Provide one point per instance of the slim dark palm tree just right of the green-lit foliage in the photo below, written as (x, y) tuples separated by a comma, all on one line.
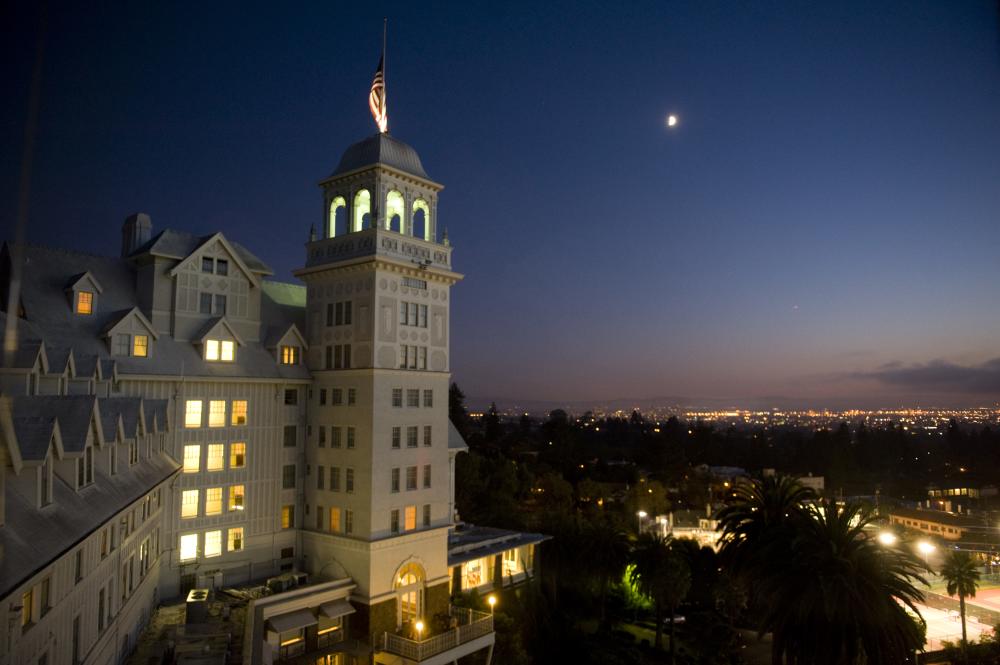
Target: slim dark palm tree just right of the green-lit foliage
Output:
[(661, 572)]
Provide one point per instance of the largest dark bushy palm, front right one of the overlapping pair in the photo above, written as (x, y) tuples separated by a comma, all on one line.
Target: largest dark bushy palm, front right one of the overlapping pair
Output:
[(842, 597)]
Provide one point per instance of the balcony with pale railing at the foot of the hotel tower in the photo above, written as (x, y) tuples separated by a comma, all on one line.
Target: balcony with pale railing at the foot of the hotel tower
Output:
[(473, 632)]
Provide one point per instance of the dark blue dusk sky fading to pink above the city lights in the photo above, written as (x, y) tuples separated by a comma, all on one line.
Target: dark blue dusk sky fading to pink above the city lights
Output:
[(823, 225)]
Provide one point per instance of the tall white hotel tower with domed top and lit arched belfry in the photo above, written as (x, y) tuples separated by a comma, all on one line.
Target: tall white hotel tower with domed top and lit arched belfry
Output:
[(379, 501)]
